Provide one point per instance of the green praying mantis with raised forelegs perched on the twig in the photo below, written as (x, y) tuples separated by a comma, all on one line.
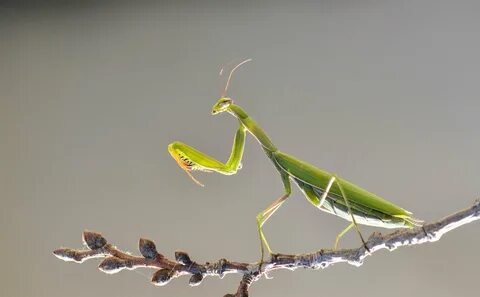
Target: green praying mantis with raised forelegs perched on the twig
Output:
[(326, 191)]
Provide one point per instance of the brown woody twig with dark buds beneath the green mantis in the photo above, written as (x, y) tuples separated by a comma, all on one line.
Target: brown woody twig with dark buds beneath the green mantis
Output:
[(166, 269)]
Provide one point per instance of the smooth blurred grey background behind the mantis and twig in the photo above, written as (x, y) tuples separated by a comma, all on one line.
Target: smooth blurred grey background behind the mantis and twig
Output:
[(384, 93)]
